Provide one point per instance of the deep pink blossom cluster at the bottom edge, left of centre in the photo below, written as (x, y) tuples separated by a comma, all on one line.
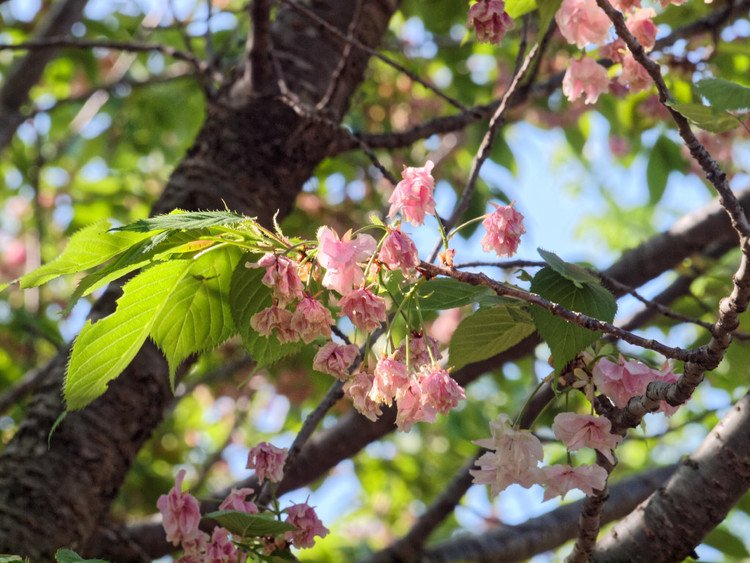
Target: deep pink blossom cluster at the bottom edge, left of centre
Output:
[(181, 517)]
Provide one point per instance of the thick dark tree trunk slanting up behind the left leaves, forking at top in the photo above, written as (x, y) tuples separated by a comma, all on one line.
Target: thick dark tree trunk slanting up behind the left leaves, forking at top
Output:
[(253, 153)]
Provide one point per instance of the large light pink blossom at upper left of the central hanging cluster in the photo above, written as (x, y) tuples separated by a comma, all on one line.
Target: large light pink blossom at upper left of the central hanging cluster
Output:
[(340, 258)]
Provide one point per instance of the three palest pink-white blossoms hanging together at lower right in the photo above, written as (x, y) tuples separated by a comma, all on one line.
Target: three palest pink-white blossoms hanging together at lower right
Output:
[(515, 455)]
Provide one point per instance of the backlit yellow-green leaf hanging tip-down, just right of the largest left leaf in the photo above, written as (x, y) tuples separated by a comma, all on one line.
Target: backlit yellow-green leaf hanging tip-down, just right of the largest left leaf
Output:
[(197, 317)]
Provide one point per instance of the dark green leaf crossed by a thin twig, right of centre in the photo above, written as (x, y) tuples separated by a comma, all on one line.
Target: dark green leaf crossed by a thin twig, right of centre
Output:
[(565, 339)]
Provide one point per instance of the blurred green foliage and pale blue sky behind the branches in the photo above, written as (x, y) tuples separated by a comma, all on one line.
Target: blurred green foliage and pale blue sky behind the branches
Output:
[(105, 128)]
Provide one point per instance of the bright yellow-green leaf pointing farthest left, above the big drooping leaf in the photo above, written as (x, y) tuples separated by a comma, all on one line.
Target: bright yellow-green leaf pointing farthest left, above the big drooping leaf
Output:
[(87, 248)]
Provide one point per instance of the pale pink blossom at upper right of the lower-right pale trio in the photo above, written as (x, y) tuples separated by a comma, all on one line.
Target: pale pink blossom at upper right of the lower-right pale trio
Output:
[(578, 431)]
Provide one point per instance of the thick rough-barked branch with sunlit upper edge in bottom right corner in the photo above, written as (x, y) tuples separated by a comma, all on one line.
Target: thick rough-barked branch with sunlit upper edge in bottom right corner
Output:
[(673, 521)]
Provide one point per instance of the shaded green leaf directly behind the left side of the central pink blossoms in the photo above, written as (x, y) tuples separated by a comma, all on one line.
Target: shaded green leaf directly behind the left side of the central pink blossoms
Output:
[(247, 296)]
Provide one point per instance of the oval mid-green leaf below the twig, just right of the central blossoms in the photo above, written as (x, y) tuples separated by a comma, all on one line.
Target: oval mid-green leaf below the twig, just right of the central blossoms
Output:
[(487, 333)]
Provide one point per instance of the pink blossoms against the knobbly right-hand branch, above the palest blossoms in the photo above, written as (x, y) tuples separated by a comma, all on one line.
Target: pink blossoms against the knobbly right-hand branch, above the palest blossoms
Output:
[(626, 379)]
